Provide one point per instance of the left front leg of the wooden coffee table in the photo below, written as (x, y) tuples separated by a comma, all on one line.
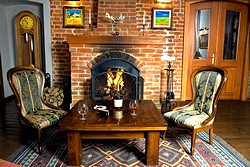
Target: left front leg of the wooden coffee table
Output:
[(74, 148)]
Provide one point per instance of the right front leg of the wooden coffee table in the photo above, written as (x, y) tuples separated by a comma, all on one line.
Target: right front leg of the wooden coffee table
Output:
[(152, 148)]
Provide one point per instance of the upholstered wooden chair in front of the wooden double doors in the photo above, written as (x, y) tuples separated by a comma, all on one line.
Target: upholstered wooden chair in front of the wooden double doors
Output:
[(199, 114)]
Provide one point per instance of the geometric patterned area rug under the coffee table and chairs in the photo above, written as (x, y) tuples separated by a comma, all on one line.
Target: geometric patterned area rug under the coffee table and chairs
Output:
[(119, 153)]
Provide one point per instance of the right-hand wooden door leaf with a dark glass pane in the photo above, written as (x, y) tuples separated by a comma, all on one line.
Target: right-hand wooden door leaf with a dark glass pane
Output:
[(230, 55)]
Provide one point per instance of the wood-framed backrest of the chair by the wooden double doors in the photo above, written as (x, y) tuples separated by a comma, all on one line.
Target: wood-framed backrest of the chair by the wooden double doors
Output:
[(207, 85)]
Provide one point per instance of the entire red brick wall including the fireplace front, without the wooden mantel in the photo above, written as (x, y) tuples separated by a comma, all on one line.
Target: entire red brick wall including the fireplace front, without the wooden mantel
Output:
[(65, 63)]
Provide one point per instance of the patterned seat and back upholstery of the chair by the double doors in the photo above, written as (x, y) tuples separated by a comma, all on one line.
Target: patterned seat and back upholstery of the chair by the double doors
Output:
[(206, 85)]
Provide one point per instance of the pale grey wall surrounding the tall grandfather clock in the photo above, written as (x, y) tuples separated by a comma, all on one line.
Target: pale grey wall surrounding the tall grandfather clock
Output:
[(8, 11)]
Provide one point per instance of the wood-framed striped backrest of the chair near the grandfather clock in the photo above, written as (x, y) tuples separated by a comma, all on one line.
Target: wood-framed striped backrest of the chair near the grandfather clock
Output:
[(27, 84)]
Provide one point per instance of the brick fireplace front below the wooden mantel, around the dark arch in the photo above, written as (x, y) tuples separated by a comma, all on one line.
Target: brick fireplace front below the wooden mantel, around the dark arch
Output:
[(147, 56)]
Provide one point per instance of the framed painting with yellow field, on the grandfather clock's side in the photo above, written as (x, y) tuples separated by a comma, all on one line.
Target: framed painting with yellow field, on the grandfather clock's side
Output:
[(73, 17)]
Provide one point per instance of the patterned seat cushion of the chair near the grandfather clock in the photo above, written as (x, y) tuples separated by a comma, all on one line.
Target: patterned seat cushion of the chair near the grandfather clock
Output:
[(44, 118)]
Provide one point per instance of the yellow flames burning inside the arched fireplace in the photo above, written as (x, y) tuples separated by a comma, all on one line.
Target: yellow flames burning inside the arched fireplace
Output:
[(115, 82)]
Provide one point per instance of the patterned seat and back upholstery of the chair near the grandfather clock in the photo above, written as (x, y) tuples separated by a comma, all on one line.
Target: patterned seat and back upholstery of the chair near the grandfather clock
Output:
[(28, 84)]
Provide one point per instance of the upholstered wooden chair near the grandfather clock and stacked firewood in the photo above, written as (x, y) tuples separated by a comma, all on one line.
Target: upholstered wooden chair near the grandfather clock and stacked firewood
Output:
[(27, 83)]
